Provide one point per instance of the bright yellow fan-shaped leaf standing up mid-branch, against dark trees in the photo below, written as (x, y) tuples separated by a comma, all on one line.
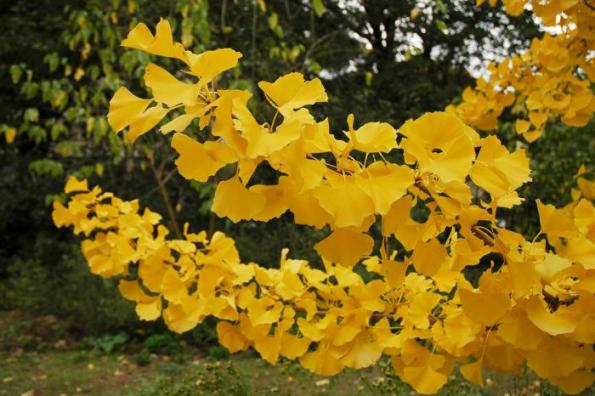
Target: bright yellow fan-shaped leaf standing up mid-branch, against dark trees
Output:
[(291, 92)]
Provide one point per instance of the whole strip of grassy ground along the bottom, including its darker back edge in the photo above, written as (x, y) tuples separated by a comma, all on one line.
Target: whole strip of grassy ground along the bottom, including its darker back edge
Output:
[(60, 367)]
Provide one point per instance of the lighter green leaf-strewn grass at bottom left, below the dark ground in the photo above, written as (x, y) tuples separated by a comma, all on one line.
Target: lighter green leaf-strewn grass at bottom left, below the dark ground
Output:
[(56, 372)]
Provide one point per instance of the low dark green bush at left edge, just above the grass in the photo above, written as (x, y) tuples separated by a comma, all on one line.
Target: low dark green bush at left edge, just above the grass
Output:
[(88, 304)]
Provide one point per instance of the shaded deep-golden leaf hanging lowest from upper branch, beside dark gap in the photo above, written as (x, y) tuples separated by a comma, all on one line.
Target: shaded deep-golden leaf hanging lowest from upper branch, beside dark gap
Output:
[(345, 246)]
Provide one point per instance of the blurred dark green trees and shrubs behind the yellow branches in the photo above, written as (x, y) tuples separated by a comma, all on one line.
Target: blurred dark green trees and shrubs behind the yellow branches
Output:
[(60, 63)]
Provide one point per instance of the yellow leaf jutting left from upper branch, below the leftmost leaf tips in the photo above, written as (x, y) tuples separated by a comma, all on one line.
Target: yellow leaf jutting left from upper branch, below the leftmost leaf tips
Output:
[(199, 161)]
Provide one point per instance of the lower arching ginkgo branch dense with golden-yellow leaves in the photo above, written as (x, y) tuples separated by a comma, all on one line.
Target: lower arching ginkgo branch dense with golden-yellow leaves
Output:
[(538, 302)]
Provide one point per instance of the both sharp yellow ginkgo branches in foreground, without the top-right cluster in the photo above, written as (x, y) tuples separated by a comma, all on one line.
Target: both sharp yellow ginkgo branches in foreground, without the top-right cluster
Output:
[(389, 283)]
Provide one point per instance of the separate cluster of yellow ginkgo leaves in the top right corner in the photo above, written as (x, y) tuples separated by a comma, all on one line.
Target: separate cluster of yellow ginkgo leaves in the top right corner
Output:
[(551, 79)]
